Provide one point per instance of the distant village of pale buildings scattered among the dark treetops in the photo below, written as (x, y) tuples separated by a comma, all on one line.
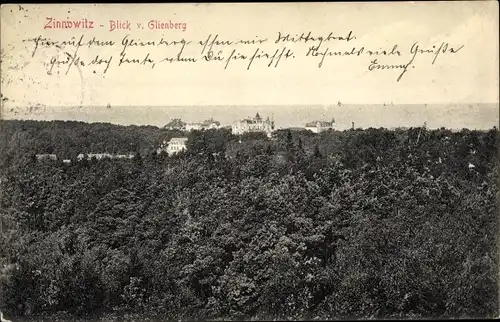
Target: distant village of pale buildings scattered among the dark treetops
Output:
[(175, 145)]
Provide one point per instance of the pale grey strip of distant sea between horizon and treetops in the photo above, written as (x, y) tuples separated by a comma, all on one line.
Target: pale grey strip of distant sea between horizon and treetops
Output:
[(479, 116)]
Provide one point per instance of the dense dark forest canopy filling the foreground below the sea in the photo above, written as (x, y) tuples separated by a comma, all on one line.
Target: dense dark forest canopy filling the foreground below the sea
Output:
[(359, 223)]
